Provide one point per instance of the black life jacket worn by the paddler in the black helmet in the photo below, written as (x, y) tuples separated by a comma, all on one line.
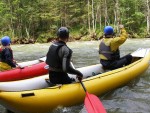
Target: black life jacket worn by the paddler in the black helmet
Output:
[(53, 59)]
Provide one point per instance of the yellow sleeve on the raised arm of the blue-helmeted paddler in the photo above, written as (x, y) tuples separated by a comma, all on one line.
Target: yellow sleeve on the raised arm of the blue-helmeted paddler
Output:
[(117, 41)]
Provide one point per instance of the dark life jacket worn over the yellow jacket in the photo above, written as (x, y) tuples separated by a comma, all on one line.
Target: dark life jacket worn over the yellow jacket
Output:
[(106, 51)]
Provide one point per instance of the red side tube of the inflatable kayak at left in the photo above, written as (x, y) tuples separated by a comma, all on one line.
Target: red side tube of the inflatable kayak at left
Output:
[(24, 73)]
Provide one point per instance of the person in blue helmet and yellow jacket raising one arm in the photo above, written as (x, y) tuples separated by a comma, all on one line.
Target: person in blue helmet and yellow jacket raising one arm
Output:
[(109, 49)]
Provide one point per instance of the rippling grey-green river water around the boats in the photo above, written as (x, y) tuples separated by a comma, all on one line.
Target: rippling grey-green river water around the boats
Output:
[(132, 98)]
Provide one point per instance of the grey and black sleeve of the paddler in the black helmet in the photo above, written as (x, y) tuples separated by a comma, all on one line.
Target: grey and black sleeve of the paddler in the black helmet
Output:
[(66, 59)]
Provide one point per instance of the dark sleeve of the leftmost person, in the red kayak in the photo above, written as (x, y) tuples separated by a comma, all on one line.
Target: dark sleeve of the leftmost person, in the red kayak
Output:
[(8, 58)]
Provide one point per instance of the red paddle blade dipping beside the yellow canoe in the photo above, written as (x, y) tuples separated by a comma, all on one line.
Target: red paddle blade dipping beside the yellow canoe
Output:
[(93, 104)]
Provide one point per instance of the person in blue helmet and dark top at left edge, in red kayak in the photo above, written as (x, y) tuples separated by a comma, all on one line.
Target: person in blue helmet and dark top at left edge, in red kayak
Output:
[(6, 62)]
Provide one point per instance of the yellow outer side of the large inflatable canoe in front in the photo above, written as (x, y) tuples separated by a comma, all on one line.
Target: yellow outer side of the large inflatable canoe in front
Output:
[(47, 99)]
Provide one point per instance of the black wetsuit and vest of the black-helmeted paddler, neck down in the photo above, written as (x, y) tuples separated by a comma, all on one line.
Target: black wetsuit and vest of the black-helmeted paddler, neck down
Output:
[(58, 59)]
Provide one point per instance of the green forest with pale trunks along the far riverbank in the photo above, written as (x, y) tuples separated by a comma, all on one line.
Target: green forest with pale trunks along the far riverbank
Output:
[(38, 20)]
